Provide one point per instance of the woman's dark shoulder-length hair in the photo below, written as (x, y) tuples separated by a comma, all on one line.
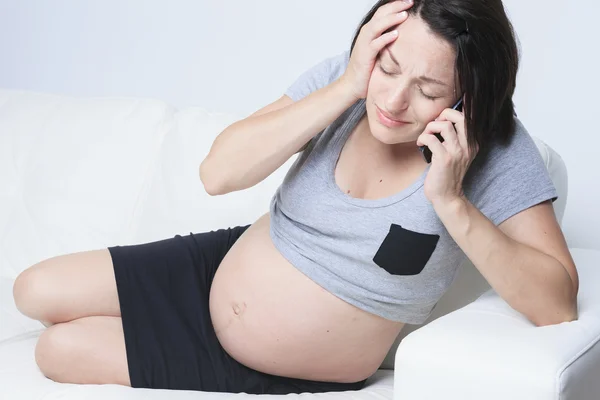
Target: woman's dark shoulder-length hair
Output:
[(487, 60)]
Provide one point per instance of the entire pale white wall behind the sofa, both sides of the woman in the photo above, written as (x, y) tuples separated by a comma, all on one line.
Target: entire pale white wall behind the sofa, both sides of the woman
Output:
[(237, 56)]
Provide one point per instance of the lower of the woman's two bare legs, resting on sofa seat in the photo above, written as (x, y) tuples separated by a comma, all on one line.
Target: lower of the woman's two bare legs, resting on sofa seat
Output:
[(89, 350)]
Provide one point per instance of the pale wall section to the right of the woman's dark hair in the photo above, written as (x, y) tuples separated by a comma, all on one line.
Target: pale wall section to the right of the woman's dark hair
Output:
[(557, 99)]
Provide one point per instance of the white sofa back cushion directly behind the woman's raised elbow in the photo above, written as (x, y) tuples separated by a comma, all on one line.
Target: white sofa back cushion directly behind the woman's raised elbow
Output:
[(175, 201)]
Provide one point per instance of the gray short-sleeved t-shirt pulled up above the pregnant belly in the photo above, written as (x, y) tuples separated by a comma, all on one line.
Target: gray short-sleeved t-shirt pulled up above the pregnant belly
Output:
[(391, 256)]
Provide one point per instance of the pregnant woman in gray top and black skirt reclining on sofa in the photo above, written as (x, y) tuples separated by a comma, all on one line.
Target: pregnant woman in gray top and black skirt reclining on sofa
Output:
[(363, 236)]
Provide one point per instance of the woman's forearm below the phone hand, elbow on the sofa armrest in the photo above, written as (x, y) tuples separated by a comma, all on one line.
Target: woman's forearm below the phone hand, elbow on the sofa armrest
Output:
[(532, 282)]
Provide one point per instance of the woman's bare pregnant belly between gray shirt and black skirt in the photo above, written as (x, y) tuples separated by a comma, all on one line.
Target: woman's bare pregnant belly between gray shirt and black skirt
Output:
[(271, 317)]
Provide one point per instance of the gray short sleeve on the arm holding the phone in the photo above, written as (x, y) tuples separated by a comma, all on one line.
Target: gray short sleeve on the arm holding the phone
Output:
[(512, 179)]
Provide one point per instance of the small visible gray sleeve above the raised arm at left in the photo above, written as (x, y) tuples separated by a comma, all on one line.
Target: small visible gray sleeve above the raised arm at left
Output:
[(319, 76)]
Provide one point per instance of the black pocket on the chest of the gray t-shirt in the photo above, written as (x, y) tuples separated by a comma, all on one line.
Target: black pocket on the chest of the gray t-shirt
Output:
[(405, 252)]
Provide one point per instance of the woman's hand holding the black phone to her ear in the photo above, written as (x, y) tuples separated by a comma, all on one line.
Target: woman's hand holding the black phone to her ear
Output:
[(450, 159)]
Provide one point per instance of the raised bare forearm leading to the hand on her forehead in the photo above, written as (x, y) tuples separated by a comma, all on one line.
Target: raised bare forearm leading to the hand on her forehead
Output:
[(250, 150)]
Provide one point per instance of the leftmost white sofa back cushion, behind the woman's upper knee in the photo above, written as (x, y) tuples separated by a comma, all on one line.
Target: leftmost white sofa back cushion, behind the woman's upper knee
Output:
[(71, 171)]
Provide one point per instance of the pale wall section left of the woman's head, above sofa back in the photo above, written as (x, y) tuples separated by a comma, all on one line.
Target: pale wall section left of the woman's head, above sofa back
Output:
[(233, 55)]
